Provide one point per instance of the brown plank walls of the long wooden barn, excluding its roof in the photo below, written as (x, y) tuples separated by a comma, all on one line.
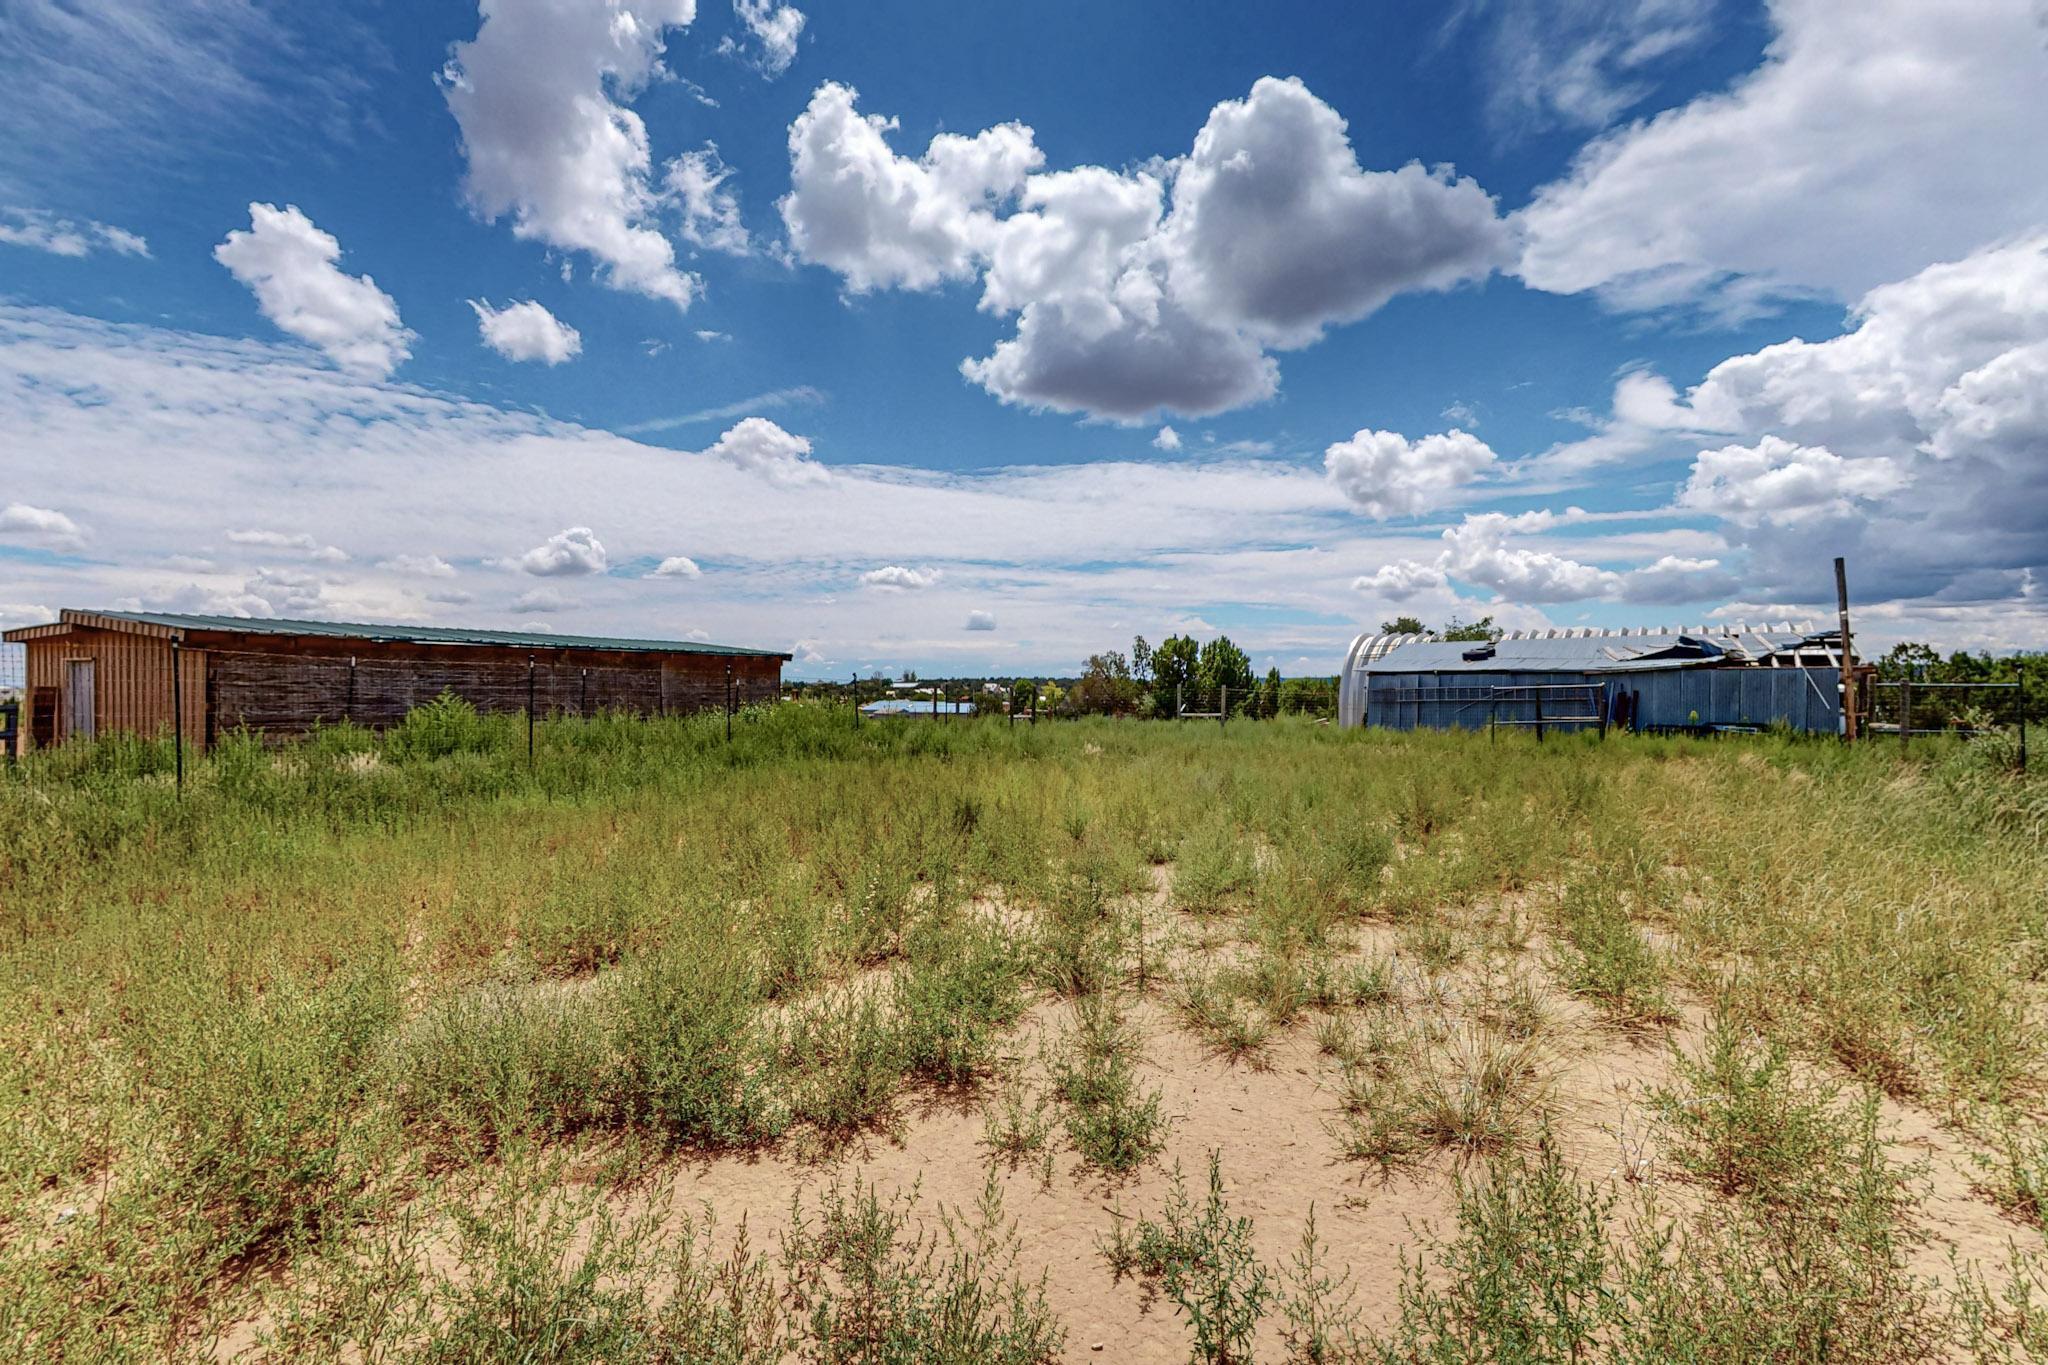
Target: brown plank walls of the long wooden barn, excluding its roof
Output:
[(284, 685)]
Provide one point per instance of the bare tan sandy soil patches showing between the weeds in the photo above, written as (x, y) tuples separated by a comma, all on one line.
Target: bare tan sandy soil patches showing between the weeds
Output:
[(1275, 1120)]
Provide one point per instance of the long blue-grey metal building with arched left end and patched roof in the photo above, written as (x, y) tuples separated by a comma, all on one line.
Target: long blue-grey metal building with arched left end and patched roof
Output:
[(1705, 678)]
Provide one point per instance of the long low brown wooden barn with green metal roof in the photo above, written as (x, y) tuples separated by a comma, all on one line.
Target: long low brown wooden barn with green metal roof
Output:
[(99, 672)]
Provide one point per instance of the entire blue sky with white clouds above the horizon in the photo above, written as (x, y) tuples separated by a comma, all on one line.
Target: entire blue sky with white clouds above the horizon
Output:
[(978, 339)]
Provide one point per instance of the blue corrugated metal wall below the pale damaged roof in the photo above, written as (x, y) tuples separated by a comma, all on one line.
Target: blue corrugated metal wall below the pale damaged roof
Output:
[(1801, 699)]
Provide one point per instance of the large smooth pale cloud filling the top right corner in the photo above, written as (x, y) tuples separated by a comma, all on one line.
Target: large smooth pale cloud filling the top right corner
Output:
[(1877, 136)]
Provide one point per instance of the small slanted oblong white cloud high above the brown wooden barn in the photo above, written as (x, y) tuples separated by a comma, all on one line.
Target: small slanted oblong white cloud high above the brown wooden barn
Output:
[(290, 267)]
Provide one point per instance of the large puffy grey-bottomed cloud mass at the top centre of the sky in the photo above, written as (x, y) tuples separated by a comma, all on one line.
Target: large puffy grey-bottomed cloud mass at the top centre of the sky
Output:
[(1144, 292)]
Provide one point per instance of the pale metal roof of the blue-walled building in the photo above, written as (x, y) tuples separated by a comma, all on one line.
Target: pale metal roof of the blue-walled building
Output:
[(1584, 654)]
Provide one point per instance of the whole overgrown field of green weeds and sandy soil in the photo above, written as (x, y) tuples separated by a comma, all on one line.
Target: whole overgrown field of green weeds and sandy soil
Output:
[(1086, 1041)]
